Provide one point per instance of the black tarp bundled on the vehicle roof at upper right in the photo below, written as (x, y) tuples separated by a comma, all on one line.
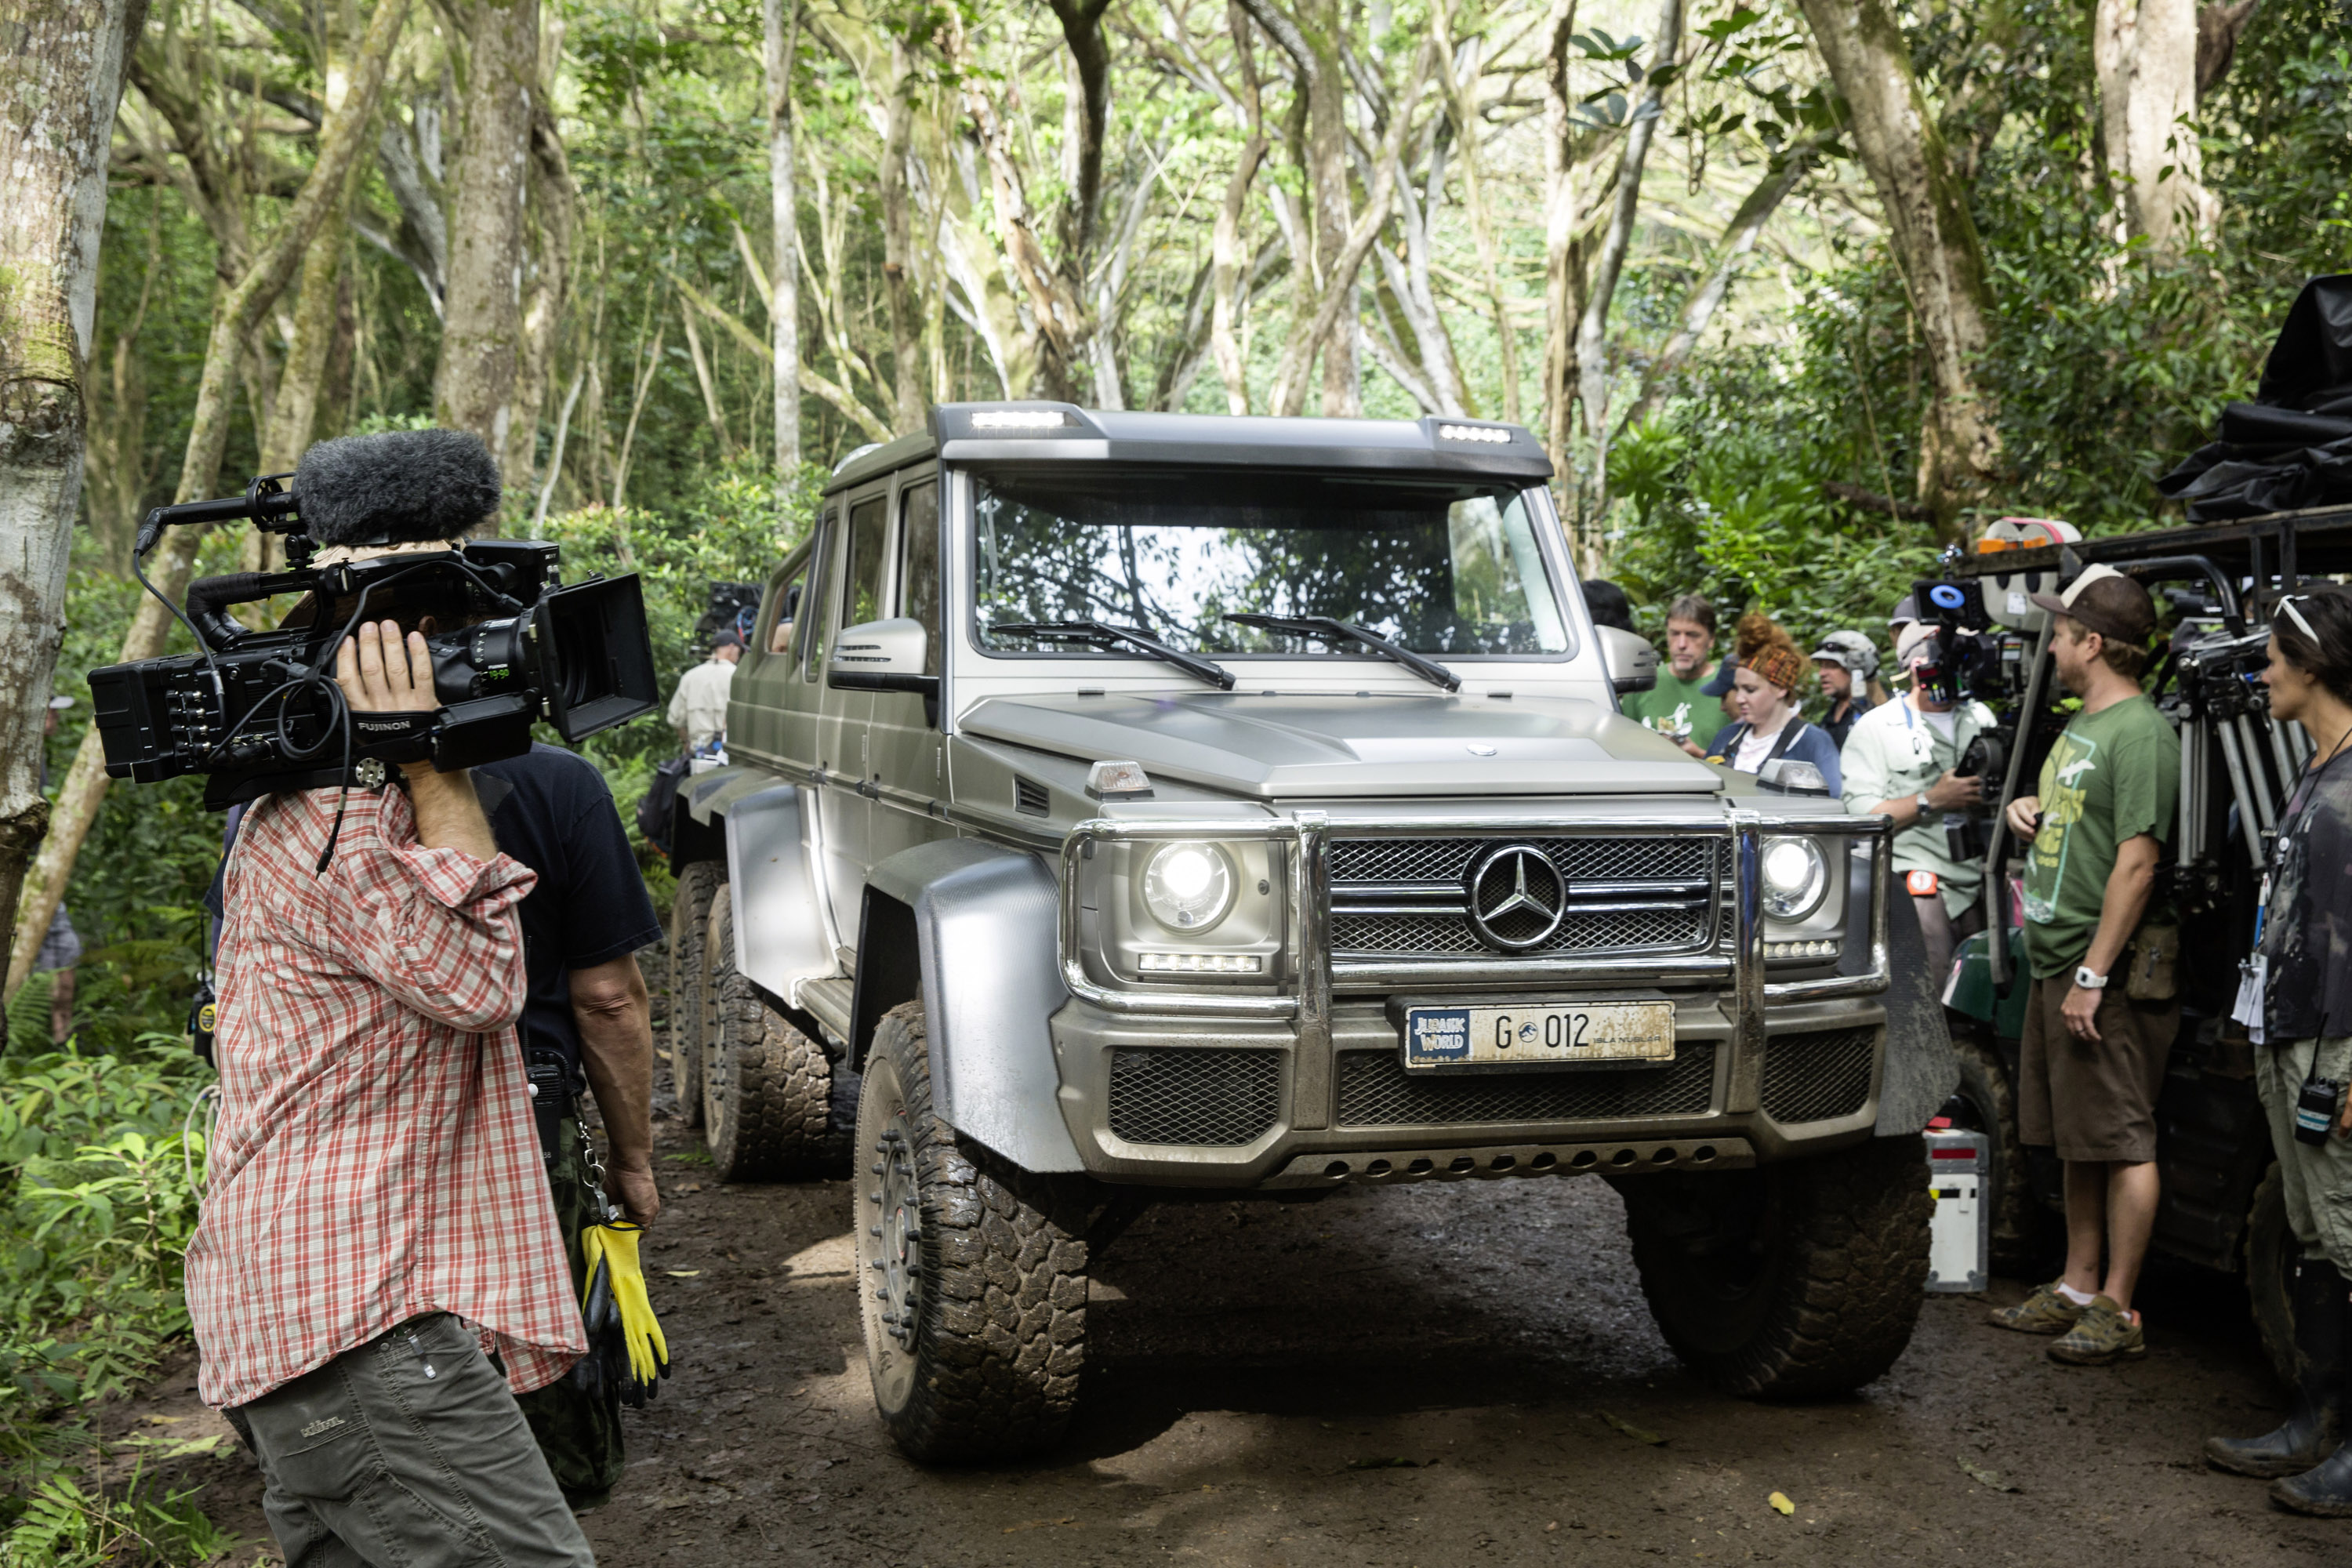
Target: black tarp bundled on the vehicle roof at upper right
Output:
[(2292, 445)]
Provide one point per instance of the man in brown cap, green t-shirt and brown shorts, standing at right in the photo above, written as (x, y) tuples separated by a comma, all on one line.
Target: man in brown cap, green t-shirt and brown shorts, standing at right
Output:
[(2092, 1059)]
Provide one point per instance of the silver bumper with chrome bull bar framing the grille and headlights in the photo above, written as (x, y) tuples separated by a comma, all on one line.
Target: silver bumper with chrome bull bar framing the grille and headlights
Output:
[(1307, 1090)]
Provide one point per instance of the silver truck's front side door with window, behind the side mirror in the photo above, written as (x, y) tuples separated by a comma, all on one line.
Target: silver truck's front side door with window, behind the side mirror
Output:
[(909, 756)]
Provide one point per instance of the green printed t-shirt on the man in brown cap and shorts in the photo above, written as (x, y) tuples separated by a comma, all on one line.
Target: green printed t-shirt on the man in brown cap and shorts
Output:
[(2113, 777)]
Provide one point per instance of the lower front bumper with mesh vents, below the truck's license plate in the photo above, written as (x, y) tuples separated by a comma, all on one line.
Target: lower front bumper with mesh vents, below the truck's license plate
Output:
[(1212, 1104)]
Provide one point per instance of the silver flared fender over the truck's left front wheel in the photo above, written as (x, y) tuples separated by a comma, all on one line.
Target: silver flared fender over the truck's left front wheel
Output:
[(984, 932)]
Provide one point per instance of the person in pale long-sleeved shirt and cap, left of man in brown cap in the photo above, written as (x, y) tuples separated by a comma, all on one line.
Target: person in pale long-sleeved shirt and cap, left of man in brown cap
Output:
[(1902, 763)]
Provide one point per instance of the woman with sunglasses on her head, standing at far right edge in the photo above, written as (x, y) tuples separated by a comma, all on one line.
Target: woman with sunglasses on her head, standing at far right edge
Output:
[(2297, 1005)]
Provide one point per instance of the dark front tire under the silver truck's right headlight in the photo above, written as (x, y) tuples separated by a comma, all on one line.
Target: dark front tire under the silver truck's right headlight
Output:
[(1845, 1289)]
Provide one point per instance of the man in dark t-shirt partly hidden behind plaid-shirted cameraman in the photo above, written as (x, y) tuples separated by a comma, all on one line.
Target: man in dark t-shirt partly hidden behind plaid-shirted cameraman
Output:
[(584, 1026)]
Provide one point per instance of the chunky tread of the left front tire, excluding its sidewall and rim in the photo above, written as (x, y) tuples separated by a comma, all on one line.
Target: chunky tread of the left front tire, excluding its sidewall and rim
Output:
[(1003, 1336)]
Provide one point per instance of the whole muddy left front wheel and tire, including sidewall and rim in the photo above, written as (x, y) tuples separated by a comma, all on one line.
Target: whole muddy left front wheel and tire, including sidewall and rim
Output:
[(973, 1275)]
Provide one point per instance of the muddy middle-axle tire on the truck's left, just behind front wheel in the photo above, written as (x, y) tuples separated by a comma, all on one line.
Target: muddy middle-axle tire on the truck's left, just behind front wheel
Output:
[(766, 1085)]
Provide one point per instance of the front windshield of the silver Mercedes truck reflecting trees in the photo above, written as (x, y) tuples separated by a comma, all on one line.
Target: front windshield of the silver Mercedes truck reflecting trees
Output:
[(1443, 570)]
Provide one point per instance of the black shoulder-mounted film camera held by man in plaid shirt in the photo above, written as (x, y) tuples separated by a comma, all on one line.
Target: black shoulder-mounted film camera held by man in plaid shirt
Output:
[(258, 711)]
